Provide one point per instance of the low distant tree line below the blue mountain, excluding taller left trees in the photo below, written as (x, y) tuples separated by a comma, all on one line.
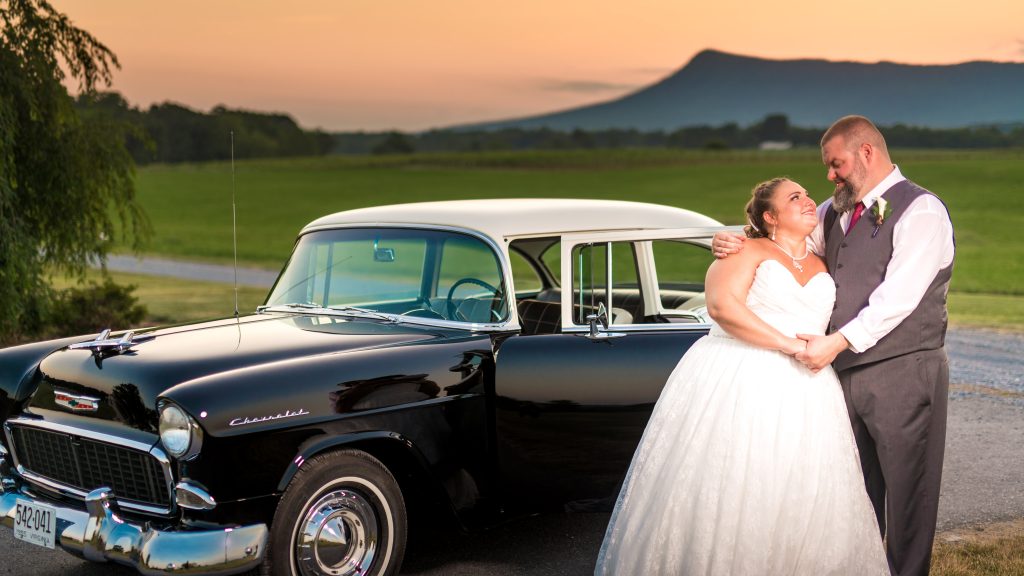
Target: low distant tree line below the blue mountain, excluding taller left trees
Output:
[(775, 129)]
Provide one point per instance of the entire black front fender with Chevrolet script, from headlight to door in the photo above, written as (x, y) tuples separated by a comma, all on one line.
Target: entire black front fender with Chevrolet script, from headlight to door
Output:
[(418, 408)]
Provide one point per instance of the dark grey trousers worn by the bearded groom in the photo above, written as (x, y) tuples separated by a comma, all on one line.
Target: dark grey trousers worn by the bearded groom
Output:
[(899, 412)]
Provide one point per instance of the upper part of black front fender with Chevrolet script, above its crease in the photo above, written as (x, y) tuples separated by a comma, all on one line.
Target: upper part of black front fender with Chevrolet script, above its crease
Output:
[(316, 391)]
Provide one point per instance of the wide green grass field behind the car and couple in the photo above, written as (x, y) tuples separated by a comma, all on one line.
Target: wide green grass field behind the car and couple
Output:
[(191, 205)]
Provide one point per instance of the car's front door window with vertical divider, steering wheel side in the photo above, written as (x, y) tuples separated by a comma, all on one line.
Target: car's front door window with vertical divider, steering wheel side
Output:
[(591, 267)]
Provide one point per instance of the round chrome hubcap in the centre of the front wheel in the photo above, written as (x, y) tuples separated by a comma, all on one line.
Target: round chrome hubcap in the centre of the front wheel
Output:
[(338, 537)]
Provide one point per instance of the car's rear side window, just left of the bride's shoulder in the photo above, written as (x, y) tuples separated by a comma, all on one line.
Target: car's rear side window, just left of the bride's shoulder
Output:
[(681, 269)]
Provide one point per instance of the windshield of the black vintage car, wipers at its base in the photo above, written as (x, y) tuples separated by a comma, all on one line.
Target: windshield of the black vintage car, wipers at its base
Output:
[(403, 272)]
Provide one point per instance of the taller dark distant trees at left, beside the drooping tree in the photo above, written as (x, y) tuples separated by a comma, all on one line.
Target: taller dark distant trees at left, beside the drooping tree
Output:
[(170, 133)]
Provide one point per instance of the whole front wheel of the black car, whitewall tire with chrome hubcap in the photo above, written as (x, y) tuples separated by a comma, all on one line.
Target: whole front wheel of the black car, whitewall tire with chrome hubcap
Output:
[(343, 515)]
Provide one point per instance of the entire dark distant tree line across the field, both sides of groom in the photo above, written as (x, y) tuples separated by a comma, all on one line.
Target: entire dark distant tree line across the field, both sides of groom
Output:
[(170, 133)]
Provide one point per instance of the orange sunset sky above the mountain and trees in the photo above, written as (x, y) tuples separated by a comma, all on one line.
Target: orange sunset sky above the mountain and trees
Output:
[(349, 65)]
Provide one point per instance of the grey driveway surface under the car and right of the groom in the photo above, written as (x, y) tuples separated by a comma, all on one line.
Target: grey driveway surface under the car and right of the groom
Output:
[(983, 482)]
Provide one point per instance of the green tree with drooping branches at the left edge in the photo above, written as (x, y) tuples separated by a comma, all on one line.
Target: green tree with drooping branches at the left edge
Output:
[(67, 179)]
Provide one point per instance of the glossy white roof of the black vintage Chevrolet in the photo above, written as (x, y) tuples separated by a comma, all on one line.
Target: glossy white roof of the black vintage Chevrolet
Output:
[(525, 217)]
